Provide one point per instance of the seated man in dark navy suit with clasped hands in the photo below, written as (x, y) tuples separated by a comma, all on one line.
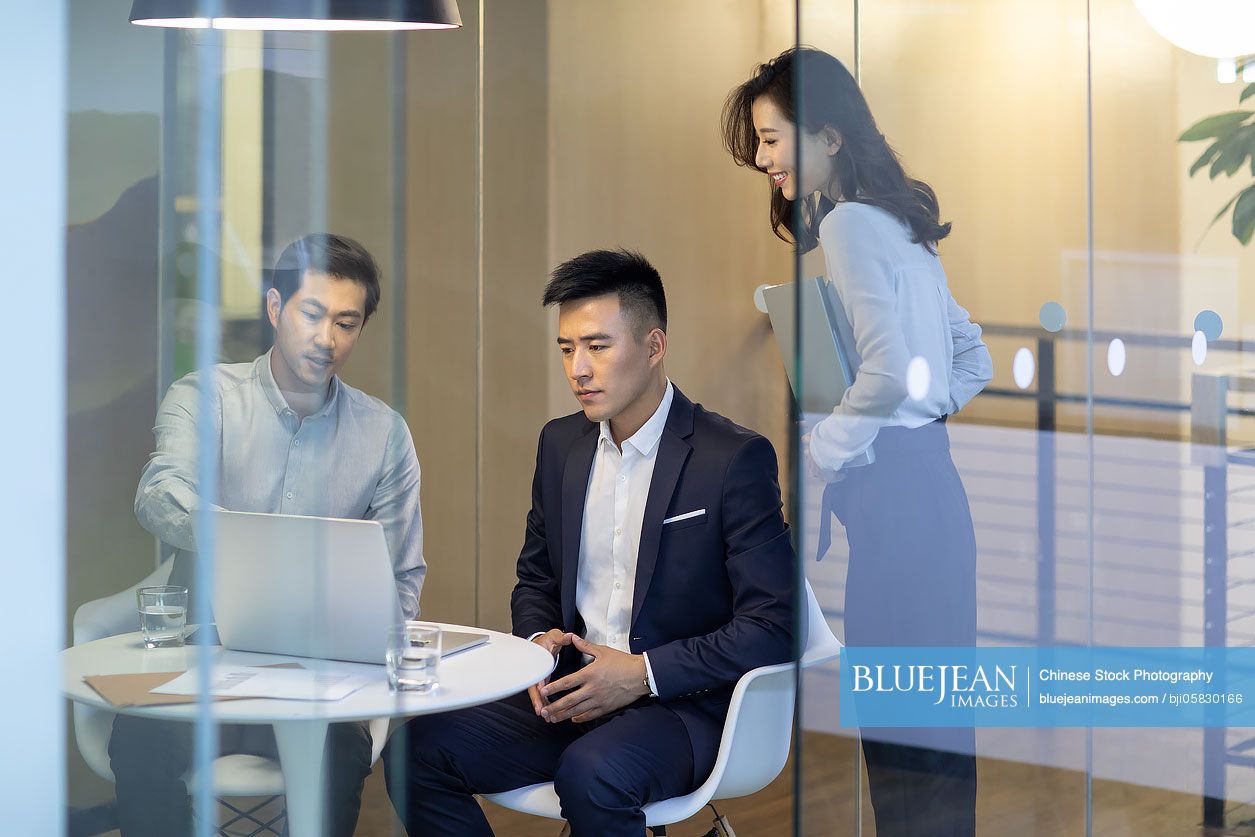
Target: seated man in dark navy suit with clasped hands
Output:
[(657, 568)]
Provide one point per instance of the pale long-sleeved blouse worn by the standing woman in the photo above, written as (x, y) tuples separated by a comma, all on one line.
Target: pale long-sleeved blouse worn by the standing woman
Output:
[(900, 308)]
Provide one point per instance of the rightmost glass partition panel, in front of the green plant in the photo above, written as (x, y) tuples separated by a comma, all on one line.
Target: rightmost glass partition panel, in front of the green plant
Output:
[(1169, 265)]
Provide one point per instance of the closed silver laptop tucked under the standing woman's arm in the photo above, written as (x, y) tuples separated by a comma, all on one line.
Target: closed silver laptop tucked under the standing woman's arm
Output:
[(830, 360)]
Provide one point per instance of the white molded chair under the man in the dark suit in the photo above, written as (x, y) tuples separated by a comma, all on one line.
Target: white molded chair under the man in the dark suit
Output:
[(752, 751)]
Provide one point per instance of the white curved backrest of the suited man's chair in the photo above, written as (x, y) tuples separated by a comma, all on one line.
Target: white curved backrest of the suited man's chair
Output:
[(760, 727)]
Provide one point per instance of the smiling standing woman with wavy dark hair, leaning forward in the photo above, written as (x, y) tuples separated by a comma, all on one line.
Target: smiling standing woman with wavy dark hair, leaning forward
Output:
[(803, 120)]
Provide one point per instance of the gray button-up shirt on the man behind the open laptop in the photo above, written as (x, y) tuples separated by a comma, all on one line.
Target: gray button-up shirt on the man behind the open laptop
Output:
[(355, 460)]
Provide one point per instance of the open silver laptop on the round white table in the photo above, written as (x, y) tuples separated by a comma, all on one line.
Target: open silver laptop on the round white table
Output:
[(308, 587)]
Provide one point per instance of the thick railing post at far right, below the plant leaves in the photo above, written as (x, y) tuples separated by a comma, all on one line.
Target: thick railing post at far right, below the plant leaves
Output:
[(1209, 402)]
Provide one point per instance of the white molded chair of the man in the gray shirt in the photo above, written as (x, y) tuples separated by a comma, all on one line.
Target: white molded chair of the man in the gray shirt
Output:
[(235, 775)]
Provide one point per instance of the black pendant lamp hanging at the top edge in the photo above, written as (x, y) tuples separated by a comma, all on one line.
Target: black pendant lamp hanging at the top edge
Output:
[(301, 16)]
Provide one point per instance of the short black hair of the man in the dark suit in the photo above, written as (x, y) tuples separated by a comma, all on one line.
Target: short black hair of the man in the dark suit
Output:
[(599, 273)]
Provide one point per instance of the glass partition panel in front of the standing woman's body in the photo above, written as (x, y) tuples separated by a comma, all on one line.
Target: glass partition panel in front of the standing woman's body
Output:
[(975, 531)]
